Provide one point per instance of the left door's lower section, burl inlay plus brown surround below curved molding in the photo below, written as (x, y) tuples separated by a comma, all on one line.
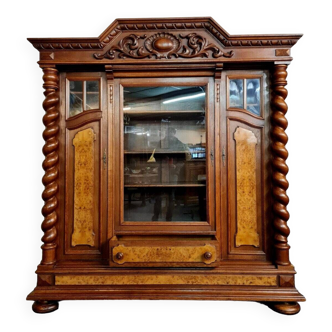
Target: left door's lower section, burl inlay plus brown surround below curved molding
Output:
[(82, 190)]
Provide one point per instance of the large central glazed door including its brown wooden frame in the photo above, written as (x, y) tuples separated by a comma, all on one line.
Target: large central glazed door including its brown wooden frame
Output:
[(165, 157)]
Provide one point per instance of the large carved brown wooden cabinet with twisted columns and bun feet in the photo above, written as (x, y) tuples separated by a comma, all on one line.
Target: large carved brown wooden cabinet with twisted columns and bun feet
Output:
[(166, 165)]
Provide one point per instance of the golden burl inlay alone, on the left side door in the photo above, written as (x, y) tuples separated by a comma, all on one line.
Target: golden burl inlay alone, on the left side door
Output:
[(84, 188)]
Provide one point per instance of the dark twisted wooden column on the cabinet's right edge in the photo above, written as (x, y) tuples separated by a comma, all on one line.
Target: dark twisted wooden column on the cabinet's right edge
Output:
[(280, 166)]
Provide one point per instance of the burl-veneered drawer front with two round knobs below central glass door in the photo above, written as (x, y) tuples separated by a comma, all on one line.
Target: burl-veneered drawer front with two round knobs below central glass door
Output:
[(176, 254)]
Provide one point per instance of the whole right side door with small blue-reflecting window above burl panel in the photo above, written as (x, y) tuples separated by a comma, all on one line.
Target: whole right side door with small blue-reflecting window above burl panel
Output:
[(247, 108)]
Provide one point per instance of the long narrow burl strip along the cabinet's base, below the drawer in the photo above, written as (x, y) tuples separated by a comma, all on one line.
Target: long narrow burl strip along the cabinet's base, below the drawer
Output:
[(167, 279)]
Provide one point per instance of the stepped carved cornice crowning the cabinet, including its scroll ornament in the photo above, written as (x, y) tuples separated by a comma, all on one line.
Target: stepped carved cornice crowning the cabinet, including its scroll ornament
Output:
[(165, 38)]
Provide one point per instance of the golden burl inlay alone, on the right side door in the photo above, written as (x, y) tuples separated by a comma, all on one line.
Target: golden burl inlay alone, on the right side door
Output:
[(246, 183)]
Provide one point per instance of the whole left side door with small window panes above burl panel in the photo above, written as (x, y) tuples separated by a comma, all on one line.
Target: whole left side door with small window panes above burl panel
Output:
[(85, 171)]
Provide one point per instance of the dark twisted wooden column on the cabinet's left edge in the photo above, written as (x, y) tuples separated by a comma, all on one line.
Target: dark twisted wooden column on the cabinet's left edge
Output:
[(50, 165)]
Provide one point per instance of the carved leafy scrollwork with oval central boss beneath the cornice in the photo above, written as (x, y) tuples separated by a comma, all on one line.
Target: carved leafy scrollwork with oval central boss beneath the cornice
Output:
[(164, 46)]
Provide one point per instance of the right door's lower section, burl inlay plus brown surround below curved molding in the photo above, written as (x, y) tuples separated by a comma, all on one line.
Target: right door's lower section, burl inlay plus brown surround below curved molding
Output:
[(245, 190)]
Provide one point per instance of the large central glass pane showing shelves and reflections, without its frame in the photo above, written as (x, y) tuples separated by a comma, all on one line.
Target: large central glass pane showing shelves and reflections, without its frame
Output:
[(164, 154)]
